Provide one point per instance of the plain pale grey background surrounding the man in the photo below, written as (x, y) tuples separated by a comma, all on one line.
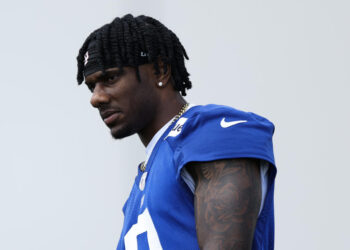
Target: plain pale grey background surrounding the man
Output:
[(64, 180)]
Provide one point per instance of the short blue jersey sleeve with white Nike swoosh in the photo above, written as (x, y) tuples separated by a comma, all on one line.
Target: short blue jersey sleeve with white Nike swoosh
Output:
[(223, 133)]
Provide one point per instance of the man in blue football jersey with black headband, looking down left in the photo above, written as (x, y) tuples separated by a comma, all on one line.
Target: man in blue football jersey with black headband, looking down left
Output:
[(208, 179)]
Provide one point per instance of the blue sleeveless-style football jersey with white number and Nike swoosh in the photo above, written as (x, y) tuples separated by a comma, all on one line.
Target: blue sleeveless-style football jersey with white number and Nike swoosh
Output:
[(159, 213)]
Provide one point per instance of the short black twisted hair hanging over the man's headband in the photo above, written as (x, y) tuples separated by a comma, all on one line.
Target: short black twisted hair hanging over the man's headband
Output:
[(121, 42)]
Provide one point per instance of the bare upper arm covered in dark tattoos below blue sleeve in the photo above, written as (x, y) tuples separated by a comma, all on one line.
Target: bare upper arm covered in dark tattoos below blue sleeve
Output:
[(227, 202)]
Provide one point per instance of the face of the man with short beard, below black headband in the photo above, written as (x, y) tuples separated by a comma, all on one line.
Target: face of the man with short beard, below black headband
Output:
[(126, 105)]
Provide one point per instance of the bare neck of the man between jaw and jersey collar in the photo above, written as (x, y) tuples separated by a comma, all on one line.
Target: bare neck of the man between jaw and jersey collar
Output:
[(163, 113)]
